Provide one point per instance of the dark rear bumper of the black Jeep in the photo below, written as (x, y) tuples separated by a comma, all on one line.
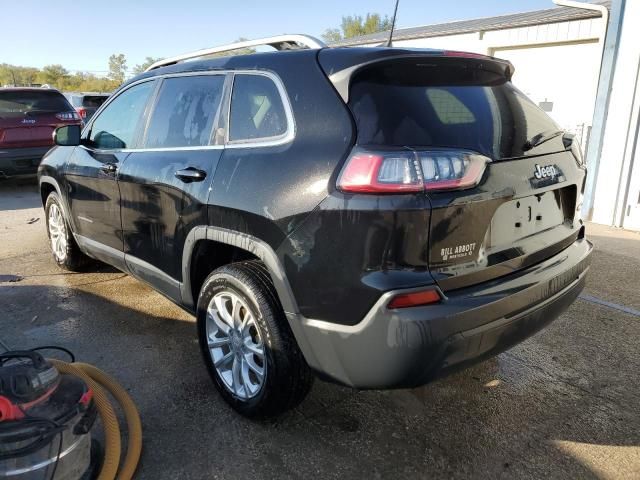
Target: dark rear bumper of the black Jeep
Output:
[(409, 347)]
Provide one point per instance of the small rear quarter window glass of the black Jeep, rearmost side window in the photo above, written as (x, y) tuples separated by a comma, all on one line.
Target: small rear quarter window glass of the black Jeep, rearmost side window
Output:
[(257, 111)]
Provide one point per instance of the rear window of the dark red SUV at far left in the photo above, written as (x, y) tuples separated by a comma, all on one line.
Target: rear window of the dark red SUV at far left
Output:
[(19, 102)]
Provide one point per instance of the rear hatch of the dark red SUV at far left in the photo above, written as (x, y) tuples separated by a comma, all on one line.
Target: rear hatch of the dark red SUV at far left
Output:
[(28, 117)]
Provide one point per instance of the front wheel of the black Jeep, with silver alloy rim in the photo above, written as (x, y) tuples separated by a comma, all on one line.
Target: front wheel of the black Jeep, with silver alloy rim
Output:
[(64, 248)]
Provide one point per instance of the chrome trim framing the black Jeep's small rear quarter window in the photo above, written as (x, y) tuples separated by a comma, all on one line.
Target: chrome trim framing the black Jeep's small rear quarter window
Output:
[(273, 141)]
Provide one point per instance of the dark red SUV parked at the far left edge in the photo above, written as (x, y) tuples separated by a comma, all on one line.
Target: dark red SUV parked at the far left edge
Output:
[(28, 117)]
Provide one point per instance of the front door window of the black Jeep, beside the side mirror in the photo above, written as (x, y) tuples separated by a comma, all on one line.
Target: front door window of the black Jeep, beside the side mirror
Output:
[(116, 126)]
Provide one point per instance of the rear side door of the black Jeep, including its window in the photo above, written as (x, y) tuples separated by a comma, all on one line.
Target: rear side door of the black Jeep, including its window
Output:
[(164, 185)]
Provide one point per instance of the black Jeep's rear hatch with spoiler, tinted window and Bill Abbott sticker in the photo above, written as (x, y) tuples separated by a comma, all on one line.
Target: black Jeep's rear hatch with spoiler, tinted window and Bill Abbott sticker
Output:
[(503, 181)]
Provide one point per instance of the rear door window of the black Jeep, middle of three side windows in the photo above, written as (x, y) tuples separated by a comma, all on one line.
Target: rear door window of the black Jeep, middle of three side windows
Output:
[(185, 112)]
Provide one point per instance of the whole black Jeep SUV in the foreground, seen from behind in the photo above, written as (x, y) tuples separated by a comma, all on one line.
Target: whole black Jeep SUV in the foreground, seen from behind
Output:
[(377, 216)]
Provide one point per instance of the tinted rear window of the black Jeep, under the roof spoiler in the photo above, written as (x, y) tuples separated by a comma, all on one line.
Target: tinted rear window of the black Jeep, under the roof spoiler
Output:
[(453, 105)]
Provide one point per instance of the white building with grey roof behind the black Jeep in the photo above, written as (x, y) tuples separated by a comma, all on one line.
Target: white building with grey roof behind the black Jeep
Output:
[(559, 63)]
